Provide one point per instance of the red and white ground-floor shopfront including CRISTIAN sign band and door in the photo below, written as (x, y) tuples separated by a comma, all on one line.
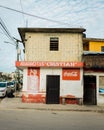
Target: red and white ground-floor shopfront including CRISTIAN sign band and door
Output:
[(51, 82)]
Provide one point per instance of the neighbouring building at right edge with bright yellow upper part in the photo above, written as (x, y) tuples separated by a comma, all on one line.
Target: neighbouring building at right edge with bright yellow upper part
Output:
[(93, 59)]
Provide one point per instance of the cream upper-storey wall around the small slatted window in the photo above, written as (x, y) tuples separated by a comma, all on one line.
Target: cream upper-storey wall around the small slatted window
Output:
[(37, 47)]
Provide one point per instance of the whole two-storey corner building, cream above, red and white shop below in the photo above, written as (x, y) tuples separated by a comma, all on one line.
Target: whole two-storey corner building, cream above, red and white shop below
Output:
[(53, 67)]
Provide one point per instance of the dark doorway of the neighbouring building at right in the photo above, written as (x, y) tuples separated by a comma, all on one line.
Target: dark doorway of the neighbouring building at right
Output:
[(90, 90)]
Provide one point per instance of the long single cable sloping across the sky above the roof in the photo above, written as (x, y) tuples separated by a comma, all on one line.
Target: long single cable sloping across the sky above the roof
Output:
[(36, 16)]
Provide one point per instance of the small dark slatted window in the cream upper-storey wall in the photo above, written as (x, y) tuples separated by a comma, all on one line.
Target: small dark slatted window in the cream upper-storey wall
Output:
[(54, 44)]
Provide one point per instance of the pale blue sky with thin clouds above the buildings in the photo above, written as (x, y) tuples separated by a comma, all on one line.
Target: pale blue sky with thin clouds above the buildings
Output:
[(88, 14)]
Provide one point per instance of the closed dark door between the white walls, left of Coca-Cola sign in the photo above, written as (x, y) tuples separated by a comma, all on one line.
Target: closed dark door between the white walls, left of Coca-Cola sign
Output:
[(53, 89)]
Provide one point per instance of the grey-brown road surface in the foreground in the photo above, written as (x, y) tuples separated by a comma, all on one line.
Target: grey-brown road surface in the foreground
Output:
[(20, 119)]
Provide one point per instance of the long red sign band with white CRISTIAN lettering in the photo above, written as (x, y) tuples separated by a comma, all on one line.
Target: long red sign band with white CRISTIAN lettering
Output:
[(48, 64)]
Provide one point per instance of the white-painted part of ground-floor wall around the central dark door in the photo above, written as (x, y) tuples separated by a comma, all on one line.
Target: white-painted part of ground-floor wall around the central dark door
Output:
[(67, 87)]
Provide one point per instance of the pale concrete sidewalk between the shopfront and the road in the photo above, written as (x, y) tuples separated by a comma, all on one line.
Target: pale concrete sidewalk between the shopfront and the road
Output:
[(16, 103)]
